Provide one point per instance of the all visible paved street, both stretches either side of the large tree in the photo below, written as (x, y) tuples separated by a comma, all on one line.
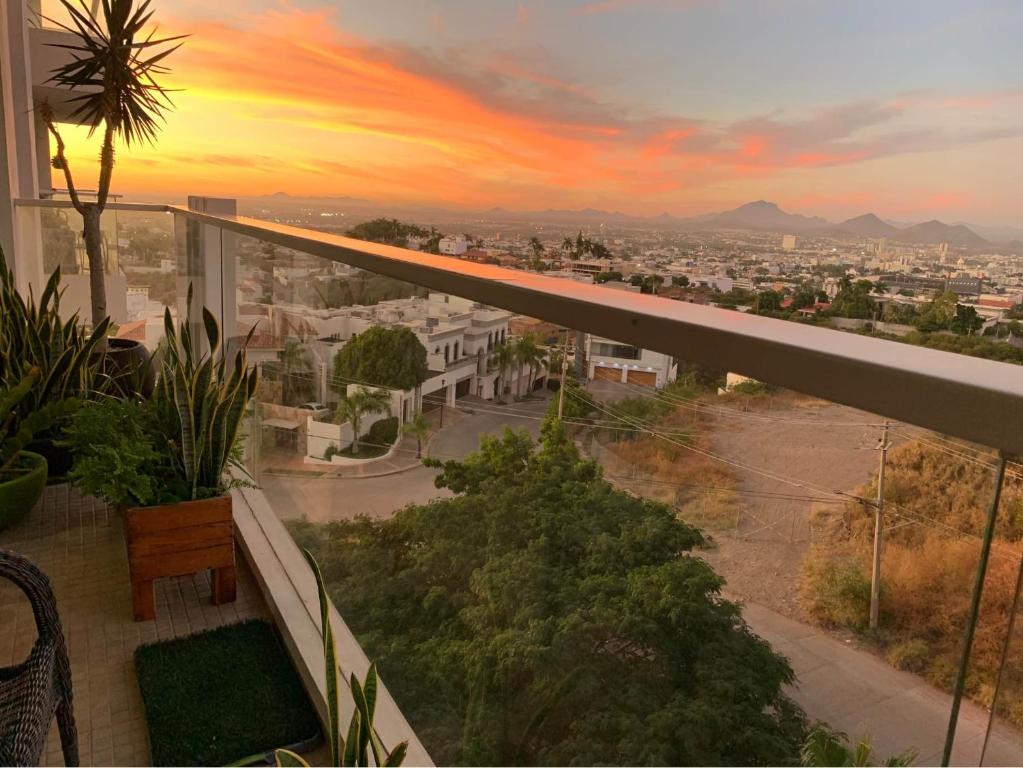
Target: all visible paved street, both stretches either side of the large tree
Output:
[(851, 689)]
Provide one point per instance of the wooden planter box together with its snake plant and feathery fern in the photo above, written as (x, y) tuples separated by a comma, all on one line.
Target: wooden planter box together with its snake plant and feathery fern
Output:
[(165, 462)]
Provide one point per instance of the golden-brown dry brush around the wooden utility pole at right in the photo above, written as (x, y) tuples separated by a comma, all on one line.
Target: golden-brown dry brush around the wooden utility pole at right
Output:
[(939, 508)]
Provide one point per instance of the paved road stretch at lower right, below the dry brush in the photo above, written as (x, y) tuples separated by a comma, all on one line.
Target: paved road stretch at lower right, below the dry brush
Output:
[(860, 694)]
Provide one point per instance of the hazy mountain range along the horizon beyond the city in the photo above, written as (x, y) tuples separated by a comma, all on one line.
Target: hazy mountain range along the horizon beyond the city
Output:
[(761, 215)]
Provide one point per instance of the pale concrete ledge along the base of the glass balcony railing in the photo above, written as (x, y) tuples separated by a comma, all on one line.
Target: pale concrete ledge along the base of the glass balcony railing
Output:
[(290, 592)]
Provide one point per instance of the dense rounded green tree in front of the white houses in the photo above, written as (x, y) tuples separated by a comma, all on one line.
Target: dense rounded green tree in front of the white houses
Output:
[(382, 357)]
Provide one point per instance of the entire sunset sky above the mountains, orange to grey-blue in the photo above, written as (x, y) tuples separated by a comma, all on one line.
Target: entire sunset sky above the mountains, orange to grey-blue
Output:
[(911, 109)]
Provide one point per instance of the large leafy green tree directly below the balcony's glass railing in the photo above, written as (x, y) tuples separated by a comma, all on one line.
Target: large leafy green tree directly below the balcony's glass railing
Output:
[(544, 617)]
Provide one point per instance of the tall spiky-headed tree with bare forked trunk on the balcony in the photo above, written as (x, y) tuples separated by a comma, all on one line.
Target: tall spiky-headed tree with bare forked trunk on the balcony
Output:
[(114, 66)]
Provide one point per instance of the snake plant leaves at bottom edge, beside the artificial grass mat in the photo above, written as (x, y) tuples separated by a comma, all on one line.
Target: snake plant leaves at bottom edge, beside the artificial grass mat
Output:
[(363, 741)]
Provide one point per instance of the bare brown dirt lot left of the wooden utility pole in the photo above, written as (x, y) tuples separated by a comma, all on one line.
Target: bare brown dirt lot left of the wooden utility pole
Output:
[(825, 445)]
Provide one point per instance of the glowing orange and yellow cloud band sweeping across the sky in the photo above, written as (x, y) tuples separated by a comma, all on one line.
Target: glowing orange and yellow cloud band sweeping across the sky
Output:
[(288, 101)]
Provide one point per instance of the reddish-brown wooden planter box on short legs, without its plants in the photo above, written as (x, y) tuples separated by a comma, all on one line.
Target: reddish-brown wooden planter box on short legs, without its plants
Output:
[(180, 540)]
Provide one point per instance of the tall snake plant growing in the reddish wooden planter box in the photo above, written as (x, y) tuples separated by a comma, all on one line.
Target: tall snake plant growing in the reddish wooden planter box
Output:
[(205, 400)]
